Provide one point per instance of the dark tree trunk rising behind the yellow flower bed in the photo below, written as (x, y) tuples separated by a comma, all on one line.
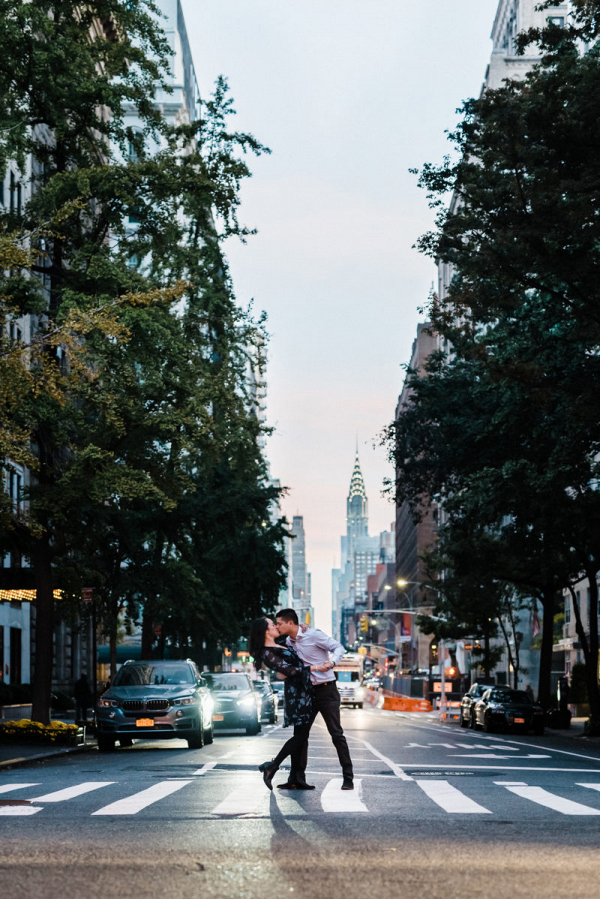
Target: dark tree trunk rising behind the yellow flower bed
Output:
[(44, 629)]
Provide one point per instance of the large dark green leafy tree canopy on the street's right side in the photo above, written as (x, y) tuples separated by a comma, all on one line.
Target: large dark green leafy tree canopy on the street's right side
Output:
[(506, 429)]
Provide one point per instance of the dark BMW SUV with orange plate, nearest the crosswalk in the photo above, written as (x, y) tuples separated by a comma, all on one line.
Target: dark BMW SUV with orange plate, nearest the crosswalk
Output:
[(155, 700)]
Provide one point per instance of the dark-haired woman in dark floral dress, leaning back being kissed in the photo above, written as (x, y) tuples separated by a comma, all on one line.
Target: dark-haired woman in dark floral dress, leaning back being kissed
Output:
[(298, 707)]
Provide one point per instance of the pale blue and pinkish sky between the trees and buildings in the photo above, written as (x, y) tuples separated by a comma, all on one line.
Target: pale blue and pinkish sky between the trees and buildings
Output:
[(348, 94)]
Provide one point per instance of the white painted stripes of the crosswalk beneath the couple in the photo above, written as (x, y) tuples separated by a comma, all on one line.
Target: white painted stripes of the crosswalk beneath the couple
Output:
[(250, 799)]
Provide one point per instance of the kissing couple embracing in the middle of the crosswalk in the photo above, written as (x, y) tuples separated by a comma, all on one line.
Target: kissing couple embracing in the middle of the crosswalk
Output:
[(306, 661)]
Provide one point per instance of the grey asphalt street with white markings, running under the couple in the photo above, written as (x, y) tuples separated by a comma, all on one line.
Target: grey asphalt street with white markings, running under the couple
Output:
[(439, 812)]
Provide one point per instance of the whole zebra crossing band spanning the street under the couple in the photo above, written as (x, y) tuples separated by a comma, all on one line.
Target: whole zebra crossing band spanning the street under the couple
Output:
[(239, 794)]
